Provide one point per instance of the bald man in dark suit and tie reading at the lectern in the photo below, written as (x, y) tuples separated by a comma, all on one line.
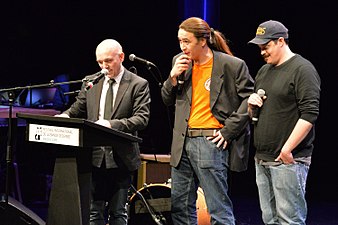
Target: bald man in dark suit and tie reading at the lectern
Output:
[(129, 112)]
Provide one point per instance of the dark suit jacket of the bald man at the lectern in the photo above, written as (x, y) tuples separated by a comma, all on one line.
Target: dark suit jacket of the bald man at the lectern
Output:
[(130, 114)]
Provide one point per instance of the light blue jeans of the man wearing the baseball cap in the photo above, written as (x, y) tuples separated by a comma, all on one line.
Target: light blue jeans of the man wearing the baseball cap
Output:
[(282, 193)]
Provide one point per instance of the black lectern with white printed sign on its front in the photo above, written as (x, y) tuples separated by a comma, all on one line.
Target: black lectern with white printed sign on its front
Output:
[(69, 199)]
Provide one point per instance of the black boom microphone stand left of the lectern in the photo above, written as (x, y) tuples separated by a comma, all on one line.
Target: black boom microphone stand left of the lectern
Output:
[(9, 150)]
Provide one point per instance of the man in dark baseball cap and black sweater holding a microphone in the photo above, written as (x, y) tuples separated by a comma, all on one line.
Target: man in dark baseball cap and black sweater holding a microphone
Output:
[(284, 125)]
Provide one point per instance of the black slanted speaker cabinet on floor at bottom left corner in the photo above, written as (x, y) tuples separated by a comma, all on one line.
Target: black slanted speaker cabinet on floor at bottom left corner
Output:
[(14, 213)]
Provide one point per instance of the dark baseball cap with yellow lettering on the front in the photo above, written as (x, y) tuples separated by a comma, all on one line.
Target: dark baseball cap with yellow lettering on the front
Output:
[(269, 30)]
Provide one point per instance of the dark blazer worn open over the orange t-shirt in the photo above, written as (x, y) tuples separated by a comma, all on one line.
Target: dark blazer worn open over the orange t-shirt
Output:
[(230, 87)]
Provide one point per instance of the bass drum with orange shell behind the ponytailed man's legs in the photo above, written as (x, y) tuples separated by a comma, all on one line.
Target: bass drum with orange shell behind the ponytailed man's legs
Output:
[(157, 198)]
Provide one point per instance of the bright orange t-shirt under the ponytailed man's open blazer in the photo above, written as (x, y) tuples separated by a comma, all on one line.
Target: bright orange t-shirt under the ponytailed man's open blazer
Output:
[(200, 114)]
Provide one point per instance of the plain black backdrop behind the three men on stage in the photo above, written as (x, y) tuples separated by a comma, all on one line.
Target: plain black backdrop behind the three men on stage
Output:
[(41, 40)]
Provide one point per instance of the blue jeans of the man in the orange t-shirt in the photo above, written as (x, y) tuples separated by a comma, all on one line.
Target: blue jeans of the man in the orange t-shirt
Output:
[(202, 164)]
